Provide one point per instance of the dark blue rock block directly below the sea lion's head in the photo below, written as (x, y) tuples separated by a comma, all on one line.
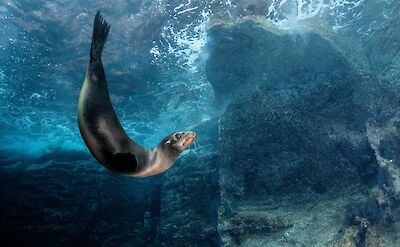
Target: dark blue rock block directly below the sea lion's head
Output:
[(189, 202)]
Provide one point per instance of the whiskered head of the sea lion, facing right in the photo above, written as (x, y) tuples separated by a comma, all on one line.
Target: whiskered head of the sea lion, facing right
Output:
[(176, 142)]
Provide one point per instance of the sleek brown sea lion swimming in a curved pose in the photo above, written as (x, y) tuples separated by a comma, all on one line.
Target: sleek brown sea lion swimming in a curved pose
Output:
[(103, 133)]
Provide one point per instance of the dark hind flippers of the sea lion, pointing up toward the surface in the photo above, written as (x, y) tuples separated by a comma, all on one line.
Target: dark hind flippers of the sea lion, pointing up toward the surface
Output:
[(99, 37)]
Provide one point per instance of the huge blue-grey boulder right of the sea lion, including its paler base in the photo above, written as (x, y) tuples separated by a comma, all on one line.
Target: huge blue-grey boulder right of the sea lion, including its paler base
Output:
[(294, 126)]
